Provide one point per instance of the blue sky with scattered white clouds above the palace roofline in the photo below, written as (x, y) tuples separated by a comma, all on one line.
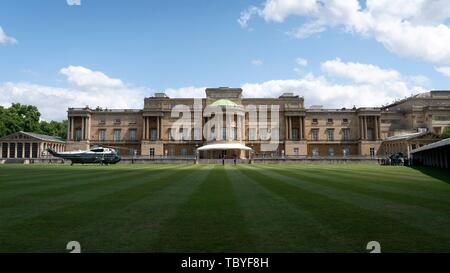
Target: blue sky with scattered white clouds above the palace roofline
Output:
[(175, 46)]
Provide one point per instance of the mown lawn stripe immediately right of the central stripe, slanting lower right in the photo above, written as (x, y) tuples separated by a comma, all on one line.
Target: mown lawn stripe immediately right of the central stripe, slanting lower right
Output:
[(275, 224)]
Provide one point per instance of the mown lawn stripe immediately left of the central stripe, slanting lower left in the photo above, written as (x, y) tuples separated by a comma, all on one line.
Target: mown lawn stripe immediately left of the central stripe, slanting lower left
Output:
[(136, 227)]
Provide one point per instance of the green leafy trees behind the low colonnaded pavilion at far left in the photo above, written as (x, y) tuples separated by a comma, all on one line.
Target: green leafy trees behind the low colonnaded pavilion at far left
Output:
[(20, 117)]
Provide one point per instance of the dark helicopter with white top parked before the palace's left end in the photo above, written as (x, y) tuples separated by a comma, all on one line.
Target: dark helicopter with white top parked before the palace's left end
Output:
[(94, 155)]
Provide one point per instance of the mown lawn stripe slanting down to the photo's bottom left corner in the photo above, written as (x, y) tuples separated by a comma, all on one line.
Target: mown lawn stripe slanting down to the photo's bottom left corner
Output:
[(44, 230)]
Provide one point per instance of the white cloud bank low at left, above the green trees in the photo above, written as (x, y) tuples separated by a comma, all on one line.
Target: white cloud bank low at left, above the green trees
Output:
[(89, 88)]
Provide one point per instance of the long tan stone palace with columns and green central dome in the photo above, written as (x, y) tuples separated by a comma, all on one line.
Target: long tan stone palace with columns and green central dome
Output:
[(226, 124)]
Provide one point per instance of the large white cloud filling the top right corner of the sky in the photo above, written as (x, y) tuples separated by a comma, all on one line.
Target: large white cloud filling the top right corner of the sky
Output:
[(413, 28)]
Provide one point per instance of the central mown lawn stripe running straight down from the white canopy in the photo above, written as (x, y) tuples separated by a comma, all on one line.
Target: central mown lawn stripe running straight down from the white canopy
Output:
[(210, 221)]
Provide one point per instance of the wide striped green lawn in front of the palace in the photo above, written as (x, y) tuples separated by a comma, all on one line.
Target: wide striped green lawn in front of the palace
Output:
[(207, 208)]
